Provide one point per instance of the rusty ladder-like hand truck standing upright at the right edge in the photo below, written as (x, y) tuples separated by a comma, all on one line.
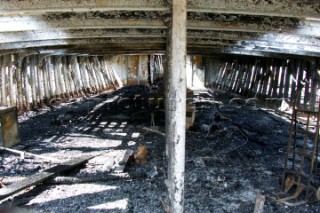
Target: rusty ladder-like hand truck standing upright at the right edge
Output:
[(301, 177)]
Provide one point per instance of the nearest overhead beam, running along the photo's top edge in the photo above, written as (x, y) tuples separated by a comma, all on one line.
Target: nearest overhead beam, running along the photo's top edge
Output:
[(280, 8)]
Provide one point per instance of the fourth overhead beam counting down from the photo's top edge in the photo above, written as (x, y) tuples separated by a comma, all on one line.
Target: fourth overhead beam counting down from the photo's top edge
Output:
[(148, 43)]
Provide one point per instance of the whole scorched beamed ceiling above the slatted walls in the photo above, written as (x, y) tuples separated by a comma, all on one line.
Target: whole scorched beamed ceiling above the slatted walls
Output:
[(253, 27)]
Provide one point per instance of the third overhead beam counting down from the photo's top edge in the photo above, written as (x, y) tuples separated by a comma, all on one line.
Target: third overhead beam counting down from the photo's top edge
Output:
[(223, 36)]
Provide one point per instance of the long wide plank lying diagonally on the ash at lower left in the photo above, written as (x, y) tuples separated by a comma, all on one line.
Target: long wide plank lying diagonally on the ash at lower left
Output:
[(42, 176)]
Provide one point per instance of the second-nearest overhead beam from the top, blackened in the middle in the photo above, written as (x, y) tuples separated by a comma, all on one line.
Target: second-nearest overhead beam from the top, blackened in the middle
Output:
[(157, 20)]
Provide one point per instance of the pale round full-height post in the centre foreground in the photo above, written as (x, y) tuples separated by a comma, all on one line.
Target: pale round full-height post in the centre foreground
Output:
[(176, 105)]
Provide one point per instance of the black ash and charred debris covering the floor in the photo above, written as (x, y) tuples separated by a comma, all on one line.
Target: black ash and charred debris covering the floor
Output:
[(234, 152)]
